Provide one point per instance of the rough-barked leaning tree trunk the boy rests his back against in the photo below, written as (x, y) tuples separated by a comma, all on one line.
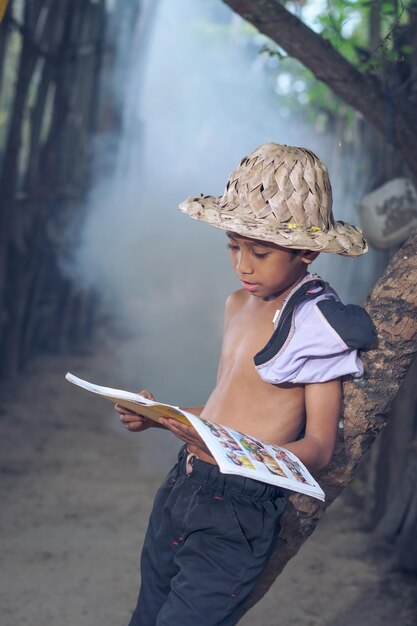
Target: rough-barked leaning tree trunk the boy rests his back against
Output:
[(392, 305)]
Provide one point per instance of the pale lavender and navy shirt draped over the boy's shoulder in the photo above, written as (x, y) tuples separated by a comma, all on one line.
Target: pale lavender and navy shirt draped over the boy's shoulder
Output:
[(316, 337)]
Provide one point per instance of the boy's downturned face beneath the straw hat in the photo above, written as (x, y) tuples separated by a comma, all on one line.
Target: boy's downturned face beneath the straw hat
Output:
[(266, 269)]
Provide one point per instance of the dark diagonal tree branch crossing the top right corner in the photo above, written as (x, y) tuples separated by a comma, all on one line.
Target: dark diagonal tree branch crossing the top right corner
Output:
[(365, 92)]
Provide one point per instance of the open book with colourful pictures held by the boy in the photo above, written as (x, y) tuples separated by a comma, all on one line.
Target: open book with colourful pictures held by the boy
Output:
[(235, 452)]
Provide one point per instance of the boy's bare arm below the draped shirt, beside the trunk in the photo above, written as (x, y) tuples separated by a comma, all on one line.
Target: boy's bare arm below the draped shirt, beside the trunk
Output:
[(323, 403)]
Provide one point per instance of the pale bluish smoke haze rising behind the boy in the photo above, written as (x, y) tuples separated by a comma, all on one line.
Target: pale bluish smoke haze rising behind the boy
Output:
[(197, 102)]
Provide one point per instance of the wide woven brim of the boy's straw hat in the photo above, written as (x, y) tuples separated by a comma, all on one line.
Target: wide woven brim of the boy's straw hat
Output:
[(341, 238)]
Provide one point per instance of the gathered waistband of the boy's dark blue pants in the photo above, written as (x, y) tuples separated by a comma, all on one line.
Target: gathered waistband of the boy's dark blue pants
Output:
[(210, 476)]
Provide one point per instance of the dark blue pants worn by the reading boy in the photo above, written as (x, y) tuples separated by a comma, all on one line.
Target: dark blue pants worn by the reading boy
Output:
[(208, 539)]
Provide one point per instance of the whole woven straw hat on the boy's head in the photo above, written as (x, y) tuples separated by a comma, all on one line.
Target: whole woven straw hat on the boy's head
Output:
[(283, 195)]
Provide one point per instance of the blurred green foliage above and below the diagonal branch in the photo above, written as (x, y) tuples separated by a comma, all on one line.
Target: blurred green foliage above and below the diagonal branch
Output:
[(373, 35)]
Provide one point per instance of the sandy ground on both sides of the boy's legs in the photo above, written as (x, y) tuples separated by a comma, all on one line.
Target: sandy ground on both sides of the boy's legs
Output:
[(76, 490)]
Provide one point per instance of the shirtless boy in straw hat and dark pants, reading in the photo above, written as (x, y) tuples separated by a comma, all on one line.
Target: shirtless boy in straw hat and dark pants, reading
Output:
[(210, 534)]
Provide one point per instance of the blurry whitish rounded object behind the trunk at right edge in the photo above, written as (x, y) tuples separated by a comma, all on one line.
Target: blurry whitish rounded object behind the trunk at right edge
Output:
[(389, 214)]
